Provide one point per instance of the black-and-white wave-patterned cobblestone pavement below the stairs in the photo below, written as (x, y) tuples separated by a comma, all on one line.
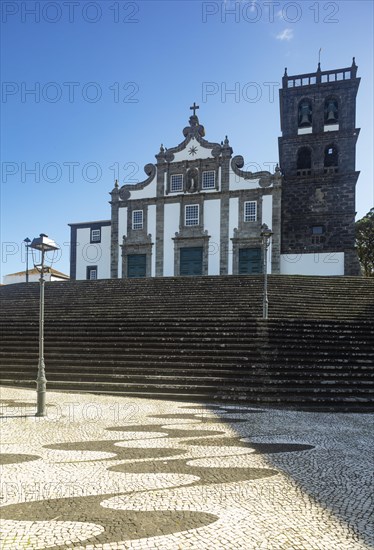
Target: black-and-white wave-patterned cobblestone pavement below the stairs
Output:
[(115, 473)]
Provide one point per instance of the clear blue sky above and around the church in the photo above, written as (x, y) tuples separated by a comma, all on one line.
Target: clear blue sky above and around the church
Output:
[(91, 89)]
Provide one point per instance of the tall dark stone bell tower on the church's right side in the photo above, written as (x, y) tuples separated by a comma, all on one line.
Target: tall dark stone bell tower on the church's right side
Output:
[(317, 152)]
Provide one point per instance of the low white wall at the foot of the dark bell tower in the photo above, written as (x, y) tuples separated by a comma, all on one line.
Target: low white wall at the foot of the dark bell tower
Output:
[(328, 263)]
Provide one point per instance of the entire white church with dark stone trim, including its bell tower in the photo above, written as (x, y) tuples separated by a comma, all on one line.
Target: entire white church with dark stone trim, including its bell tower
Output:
[(199, 213)]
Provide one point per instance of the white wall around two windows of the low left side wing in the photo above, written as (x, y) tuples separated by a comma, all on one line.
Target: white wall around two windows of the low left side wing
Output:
[(93, 254)]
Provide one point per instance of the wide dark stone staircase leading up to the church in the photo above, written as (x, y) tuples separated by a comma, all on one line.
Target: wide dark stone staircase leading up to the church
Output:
[(198, 338)]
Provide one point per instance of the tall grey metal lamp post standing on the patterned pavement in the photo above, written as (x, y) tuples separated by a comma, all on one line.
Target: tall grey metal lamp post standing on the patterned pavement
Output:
[(43, 244)]
